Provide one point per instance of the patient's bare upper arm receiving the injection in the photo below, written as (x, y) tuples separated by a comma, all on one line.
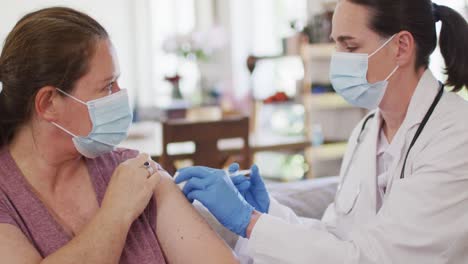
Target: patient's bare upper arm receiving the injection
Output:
[(184, 235)]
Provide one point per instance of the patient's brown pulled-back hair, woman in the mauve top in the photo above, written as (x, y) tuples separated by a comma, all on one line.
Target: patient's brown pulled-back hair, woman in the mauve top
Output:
[(49, 47)]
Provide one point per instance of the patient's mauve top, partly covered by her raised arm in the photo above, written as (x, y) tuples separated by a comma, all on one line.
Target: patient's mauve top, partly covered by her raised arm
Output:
[(20, 207)]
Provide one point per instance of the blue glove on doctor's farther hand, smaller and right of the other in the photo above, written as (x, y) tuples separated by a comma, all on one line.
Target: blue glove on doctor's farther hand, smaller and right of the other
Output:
[(252, 189)]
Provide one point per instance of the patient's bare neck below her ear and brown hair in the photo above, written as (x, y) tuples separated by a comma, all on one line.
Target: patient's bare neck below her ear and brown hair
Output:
[(42, 158)]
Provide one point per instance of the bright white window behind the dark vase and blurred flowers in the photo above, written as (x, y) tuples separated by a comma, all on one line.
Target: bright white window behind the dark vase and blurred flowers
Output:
[(158, 20)]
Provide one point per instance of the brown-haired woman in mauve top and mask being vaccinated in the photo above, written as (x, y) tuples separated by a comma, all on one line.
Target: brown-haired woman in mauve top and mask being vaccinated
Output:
[(66, 194)]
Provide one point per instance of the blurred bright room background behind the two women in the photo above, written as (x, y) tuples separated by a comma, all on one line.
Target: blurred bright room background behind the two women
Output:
[(217, 81)]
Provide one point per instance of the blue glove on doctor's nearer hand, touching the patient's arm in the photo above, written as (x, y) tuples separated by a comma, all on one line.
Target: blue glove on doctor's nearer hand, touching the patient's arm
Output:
[(215, 190)]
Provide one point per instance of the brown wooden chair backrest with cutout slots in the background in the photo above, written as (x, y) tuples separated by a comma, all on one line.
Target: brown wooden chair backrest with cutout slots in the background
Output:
[(206, 135)]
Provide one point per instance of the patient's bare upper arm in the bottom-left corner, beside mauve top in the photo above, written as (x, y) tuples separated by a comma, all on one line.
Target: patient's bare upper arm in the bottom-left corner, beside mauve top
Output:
[(15, 248)]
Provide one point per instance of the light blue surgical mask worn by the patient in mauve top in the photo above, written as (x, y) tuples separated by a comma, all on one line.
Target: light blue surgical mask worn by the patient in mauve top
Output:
[(111, 117)]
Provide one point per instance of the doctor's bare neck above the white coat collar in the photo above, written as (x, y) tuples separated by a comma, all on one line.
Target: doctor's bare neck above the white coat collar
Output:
[(395, 104)]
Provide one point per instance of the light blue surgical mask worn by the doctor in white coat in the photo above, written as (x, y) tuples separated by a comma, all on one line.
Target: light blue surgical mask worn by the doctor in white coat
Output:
[(348, 75)]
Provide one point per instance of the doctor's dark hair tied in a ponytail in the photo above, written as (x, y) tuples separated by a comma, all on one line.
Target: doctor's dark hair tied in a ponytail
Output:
[(419, 17)]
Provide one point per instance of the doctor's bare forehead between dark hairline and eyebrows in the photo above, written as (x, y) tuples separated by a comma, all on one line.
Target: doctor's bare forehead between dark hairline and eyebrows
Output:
[(350, 21)]
